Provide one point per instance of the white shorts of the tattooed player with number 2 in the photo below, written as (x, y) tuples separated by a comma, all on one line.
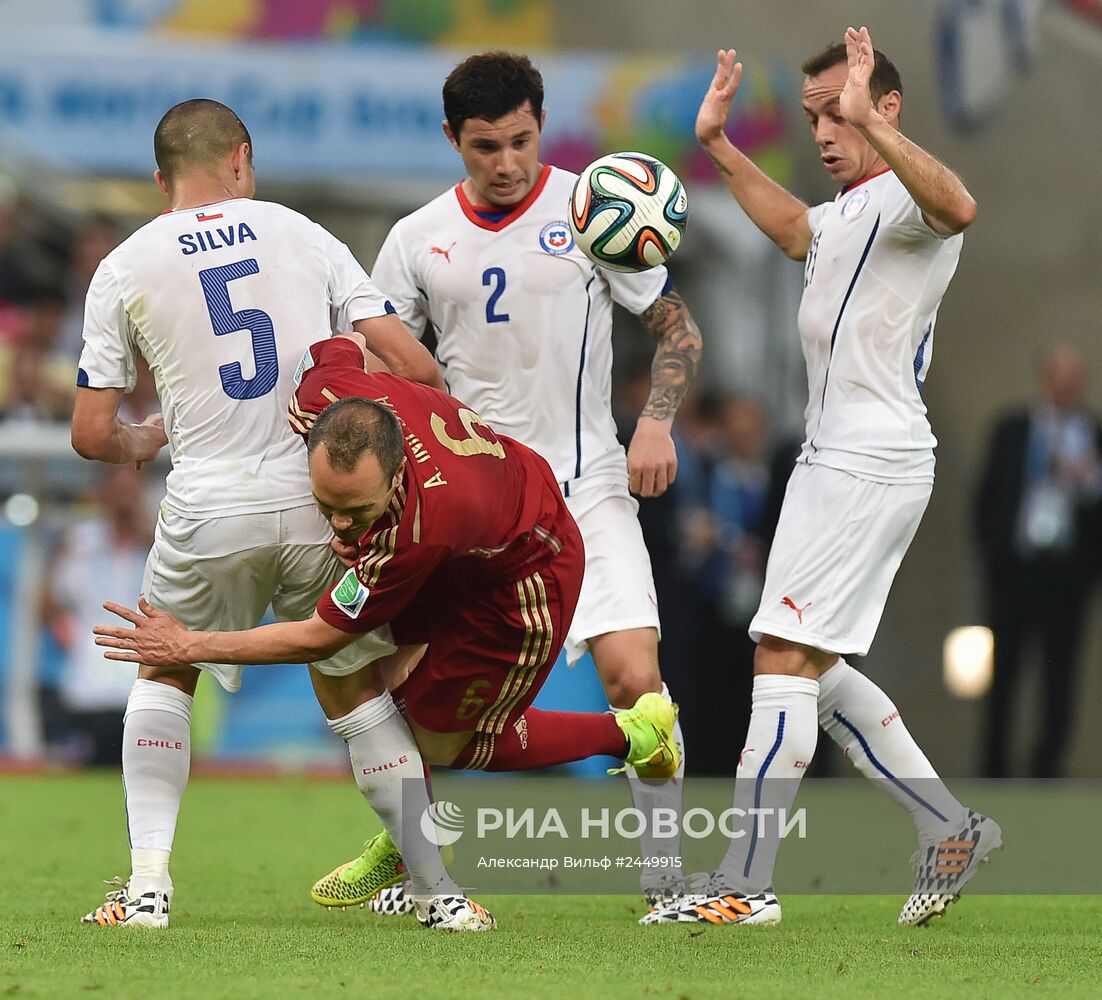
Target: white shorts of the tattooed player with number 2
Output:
[(619, 586)]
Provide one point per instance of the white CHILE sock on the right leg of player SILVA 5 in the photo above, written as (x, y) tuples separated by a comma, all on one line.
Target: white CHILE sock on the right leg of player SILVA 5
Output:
[(391, 773)]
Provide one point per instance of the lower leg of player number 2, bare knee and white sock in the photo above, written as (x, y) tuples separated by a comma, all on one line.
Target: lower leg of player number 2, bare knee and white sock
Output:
[(628, 664)]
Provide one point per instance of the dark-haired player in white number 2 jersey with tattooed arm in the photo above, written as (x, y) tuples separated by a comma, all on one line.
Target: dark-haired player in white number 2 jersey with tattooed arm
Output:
[(524, 329)]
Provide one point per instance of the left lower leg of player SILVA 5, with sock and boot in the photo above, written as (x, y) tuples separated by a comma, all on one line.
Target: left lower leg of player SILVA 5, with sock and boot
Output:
[(156, 765)]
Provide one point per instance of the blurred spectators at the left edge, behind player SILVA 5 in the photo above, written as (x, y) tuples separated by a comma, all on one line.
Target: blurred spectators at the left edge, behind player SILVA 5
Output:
[(98, 524)]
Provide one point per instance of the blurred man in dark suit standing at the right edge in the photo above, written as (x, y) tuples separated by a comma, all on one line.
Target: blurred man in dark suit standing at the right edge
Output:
[(1038, 519)]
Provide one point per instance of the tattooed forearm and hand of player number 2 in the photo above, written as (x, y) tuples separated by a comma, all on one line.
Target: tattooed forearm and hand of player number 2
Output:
[(652, 458)]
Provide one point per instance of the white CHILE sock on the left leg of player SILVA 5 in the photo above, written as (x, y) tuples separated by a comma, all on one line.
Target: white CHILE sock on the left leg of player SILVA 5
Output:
[(157, 756)]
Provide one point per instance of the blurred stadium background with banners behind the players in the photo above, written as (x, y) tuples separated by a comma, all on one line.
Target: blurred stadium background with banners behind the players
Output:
[(343, 102)]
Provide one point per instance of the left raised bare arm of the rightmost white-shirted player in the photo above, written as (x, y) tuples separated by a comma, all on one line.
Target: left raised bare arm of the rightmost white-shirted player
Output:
[(776, 212)]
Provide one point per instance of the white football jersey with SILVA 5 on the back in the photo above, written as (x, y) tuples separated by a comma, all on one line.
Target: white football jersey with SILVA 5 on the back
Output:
[(223, 302)]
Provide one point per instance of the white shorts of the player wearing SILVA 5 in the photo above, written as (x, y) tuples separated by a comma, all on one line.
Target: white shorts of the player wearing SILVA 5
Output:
[(222, 574)]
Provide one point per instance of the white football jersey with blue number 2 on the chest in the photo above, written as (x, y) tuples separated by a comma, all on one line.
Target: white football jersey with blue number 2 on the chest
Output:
[(523, 320)]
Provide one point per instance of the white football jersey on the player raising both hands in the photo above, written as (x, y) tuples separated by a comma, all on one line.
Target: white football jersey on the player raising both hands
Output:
[(873, 281)]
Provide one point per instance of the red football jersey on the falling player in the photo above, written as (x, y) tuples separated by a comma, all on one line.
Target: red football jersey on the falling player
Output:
[(473, 509)]
